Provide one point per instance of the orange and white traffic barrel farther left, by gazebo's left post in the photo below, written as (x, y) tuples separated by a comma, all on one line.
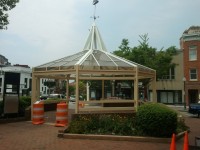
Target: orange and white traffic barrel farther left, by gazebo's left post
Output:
[(38, 113)]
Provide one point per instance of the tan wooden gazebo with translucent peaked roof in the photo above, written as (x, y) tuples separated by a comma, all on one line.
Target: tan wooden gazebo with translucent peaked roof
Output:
[(94, 63)]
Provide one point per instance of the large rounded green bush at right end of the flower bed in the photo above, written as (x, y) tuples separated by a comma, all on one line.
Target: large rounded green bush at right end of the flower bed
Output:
[(157, 120)]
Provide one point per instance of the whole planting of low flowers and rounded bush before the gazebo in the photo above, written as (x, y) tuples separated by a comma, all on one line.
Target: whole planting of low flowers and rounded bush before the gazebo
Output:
[(152, 119)]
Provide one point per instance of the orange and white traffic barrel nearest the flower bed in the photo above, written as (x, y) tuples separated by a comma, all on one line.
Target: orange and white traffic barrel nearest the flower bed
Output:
[(62, 115)]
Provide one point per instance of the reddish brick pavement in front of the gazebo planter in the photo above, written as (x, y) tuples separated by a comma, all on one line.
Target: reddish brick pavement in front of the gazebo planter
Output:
[(25, 136)]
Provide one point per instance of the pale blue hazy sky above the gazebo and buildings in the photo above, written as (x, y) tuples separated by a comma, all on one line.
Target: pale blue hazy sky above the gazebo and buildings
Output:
[(41, 31)]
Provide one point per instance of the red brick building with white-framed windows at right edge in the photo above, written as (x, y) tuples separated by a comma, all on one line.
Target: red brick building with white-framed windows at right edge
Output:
[(190, 44)]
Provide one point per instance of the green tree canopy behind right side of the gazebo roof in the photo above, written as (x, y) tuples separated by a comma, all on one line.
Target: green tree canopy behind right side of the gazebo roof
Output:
[(160, 60)]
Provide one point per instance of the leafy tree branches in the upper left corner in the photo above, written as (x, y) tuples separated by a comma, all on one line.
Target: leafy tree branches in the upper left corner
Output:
[(6, 5)]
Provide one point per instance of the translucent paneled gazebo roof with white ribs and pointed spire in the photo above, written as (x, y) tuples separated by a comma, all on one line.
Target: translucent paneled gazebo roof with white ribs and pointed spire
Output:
[(94, 56)]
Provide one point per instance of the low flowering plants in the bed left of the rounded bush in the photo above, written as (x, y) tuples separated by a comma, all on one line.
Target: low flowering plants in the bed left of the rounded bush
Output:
[(117, 124)]
